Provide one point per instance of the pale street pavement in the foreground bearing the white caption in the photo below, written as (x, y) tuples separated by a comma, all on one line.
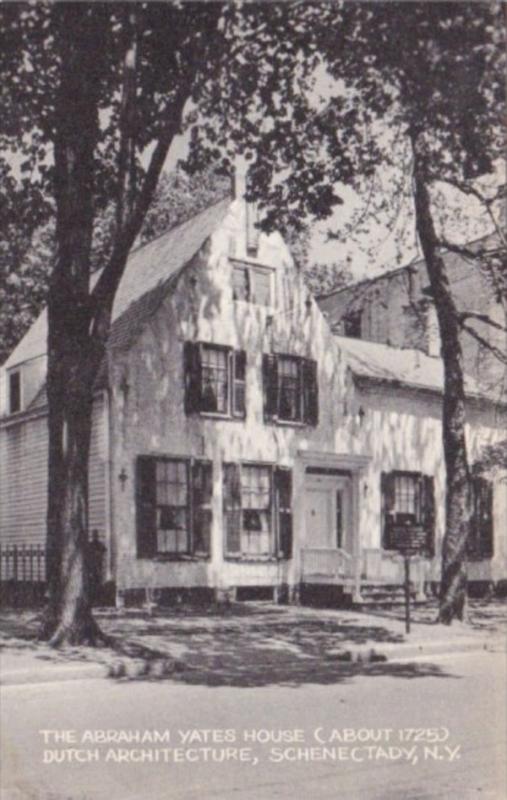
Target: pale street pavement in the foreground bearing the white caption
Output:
[(410, 730)]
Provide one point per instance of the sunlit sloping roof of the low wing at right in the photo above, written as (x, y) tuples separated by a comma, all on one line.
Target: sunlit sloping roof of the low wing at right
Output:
[(382, 363)]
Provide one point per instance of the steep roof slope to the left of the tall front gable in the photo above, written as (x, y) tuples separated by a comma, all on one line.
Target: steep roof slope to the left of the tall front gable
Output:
[(148, 274)]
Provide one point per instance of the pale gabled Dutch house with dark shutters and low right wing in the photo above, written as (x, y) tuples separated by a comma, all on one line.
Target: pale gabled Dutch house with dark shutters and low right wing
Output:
[(241, 447)]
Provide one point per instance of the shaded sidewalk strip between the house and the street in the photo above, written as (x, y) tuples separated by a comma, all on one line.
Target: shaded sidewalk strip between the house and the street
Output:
[(247, 644)]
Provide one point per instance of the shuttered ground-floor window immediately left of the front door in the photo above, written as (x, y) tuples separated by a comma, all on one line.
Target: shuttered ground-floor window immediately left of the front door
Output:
[(257, 511)]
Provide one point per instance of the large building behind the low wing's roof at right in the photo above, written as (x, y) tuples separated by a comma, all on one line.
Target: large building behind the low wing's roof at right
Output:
[(396, 308)]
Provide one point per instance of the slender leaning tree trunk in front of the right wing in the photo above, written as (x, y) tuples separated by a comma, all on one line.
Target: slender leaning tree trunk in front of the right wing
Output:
[(454, 577)]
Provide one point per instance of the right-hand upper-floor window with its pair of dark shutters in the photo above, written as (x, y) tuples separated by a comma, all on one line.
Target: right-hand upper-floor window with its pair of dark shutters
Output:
[(290, 389)]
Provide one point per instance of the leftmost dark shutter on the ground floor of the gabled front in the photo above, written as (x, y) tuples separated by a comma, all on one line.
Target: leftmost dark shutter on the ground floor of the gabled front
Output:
[(146, 506)]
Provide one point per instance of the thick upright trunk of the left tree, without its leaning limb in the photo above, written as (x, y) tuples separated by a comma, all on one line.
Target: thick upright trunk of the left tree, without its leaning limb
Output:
[(73, 357)]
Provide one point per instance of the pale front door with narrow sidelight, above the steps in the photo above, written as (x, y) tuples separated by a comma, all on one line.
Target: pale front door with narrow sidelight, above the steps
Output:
[(328, 512)]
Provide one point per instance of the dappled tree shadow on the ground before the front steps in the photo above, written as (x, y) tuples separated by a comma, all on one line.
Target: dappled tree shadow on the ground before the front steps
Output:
[(281, 654)]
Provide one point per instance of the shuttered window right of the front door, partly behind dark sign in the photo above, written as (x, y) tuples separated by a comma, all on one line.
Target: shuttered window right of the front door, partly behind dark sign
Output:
[(407, 502)]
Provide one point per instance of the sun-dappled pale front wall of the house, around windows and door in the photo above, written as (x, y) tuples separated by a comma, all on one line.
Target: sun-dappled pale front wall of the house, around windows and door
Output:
[(400, 429)]
